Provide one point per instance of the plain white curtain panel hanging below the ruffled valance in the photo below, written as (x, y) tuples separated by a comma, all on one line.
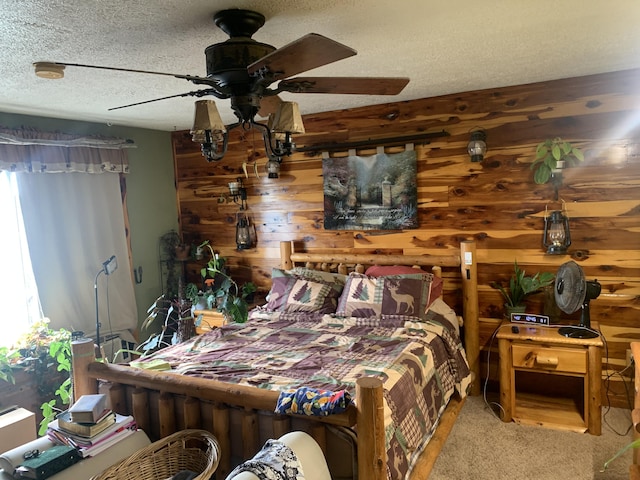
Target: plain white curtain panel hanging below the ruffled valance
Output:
[(75, 222)]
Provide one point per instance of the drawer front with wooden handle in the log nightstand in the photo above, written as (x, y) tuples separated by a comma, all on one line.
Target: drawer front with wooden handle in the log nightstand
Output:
[(557, 359)]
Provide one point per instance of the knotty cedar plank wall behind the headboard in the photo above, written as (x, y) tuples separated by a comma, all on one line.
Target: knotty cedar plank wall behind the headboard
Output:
[(494, 202)]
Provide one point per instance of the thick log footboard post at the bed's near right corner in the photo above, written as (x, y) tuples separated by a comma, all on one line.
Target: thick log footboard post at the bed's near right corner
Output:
[(372, 458)]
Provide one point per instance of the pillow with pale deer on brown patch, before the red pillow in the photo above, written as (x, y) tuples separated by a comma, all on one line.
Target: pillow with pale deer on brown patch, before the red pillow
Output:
[(384, 297)]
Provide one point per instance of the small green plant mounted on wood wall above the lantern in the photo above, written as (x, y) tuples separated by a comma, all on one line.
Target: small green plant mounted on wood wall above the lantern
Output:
[(552, 156)]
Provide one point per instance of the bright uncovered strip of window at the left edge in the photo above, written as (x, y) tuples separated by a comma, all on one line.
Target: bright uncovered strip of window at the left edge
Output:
[(17, 282)]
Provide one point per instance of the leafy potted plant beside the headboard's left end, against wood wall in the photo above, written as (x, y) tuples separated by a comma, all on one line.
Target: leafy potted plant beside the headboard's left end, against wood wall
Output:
[(223, 293)]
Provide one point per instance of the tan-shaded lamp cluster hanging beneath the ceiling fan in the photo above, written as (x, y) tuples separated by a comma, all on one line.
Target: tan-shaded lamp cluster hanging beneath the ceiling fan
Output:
[(213, 135)]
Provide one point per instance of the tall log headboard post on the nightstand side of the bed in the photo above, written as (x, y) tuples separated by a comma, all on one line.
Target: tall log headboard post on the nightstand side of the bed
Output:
[(469, 270)]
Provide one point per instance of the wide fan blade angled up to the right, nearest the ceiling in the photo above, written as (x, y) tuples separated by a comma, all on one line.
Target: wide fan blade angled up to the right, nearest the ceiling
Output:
[(306, 53)]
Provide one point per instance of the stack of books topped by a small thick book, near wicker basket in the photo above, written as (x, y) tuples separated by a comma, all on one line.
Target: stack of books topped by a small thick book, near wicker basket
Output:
[(90, 427)]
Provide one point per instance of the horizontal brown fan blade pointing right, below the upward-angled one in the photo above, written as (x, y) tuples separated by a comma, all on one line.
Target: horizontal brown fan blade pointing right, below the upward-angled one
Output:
[(345, 85)]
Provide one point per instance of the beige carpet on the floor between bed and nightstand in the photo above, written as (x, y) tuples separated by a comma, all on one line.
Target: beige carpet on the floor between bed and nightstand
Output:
[(481, 447)]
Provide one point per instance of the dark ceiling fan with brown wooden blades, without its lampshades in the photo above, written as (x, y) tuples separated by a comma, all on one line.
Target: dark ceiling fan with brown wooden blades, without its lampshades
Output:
[(243, 70)]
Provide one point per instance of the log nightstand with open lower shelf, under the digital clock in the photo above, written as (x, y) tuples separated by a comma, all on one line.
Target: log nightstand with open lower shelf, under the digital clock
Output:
[(550, 380)]
